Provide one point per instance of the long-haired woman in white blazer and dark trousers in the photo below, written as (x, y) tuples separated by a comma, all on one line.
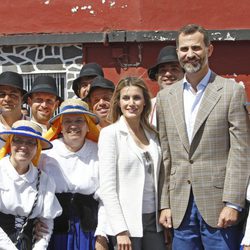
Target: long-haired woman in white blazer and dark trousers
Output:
[(130, 158)]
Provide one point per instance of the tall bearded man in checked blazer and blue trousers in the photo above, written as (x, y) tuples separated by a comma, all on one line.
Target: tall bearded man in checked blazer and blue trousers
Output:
[(205, 138)]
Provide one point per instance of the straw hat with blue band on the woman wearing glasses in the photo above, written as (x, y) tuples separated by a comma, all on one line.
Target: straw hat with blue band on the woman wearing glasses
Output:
[(29, 129)]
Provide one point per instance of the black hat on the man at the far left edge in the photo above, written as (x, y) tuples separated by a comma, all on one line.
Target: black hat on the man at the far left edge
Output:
[(12, 79)]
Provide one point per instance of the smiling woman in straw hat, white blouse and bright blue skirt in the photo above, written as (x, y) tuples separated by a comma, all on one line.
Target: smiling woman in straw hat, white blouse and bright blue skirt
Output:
[(73, 165)]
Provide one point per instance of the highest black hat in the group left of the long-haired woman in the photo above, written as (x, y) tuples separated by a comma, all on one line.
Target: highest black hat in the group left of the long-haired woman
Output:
[(89, 69)]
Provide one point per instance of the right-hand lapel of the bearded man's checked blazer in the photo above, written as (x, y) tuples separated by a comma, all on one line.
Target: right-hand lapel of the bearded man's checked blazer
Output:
[(209, 100)]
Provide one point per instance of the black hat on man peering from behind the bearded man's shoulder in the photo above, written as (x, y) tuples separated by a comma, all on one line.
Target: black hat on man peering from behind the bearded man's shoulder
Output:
[(166, 55)]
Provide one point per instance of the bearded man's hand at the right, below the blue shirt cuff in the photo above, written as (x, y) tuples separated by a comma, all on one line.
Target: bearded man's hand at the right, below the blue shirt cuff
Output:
[(228, 217)]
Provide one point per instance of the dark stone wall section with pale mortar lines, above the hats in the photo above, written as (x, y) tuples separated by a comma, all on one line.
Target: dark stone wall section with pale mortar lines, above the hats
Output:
[(42, 59)]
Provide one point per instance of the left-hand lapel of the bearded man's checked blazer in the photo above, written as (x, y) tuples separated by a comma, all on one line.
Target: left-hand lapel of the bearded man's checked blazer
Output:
[(175, 100)]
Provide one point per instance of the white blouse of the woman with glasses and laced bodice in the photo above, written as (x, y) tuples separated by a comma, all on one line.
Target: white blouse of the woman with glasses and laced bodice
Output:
[(17, 195)]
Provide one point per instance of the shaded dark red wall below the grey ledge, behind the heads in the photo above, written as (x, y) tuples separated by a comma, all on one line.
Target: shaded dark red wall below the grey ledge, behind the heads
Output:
[(230, 59)]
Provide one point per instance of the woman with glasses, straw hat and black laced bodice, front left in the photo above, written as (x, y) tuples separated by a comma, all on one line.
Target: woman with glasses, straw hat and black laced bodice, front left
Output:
[(32, 192)]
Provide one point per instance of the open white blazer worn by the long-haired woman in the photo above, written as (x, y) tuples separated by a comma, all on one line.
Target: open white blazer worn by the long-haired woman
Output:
[(122, 178)]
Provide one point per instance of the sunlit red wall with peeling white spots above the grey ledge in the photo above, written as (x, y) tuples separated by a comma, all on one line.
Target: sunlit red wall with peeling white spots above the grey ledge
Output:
[(69, 16)]
